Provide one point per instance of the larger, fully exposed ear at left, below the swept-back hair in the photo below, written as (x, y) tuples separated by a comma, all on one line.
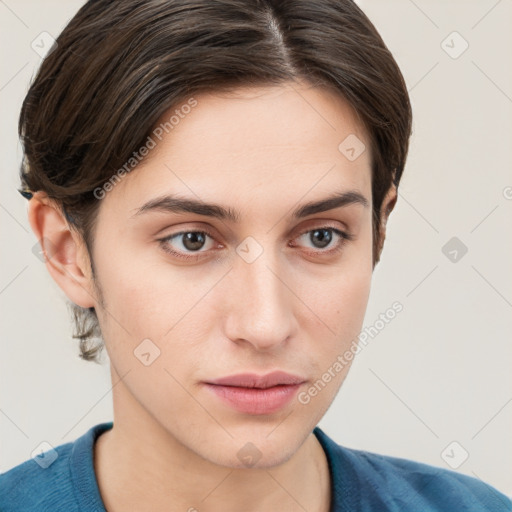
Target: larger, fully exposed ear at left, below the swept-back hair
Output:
[(65, 254)]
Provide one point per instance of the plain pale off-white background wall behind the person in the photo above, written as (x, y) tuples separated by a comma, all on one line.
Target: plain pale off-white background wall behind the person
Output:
[(440, 371)]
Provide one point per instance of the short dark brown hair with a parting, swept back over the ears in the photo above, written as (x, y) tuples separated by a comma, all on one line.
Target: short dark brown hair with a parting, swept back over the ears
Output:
[(120, 64)]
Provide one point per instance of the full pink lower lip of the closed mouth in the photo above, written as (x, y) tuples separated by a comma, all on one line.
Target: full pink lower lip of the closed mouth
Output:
[(255, 400)]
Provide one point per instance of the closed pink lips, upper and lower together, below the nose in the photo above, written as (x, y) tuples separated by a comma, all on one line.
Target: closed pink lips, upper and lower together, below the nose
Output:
[(256, 394)]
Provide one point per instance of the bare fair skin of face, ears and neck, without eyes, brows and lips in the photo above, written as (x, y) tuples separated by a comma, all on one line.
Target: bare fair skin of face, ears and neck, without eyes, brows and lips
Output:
[(263, 152)]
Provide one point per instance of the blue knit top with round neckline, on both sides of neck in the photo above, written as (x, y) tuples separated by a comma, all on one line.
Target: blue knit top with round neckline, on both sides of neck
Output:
[(63, 480)]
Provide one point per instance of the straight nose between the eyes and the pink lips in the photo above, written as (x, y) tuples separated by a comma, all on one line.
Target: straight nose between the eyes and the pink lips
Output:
[(259, 310)]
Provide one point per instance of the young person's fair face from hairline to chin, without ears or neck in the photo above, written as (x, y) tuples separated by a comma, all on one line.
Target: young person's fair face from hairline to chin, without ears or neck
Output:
[(192, 296)]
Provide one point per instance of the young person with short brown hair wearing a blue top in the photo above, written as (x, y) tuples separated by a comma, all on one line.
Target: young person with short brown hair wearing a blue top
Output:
[(210, 181)]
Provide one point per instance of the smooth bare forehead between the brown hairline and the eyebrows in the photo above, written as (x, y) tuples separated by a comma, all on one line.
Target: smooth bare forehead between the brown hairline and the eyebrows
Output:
[(263, 143)]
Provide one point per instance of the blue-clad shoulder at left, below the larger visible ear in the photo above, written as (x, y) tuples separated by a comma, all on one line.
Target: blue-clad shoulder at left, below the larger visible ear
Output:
[(51, 480)]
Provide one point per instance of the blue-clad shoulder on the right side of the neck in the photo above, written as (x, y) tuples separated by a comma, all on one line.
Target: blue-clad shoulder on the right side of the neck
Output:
[(388, 483)]
